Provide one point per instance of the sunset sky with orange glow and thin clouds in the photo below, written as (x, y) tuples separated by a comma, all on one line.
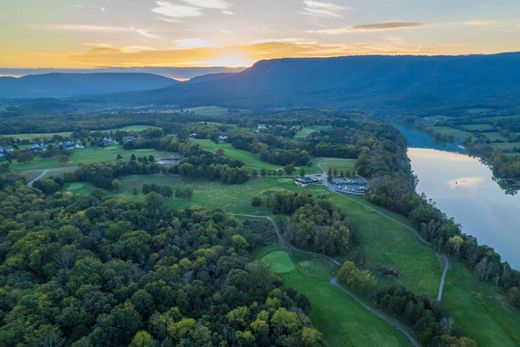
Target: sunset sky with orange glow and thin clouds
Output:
[(180, 33)]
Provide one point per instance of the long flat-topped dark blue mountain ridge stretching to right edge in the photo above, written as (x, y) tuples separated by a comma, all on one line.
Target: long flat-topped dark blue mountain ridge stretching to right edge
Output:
[(379, 84)]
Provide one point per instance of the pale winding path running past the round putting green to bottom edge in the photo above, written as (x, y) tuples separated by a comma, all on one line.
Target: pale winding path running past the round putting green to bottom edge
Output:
[(400, 327)]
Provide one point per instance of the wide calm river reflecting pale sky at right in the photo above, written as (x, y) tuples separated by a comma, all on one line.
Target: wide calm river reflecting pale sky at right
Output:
[(464, 188)]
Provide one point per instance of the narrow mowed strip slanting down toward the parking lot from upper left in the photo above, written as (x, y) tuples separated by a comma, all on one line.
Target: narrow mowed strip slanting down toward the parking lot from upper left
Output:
[(251, 160)]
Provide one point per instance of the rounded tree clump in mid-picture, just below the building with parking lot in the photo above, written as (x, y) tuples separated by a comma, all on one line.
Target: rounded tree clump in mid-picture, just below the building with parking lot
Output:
[(315, 224)]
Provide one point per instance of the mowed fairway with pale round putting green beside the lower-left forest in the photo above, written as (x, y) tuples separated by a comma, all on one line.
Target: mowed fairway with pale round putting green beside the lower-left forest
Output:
[(342, 320)]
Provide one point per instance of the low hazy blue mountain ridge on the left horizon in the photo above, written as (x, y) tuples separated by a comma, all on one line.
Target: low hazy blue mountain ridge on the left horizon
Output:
[(61, 85)]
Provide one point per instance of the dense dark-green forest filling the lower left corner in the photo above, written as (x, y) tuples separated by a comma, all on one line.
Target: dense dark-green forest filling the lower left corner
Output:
[(90, 271)]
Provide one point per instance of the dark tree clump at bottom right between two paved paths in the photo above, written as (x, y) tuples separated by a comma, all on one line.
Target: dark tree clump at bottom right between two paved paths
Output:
[(432, 324)]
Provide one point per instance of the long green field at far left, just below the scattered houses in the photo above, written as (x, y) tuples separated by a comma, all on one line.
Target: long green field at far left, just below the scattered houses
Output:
[(85, 156)]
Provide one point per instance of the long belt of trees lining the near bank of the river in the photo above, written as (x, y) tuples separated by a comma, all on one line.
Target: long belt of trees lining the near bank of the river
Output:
[(444, 234)]
